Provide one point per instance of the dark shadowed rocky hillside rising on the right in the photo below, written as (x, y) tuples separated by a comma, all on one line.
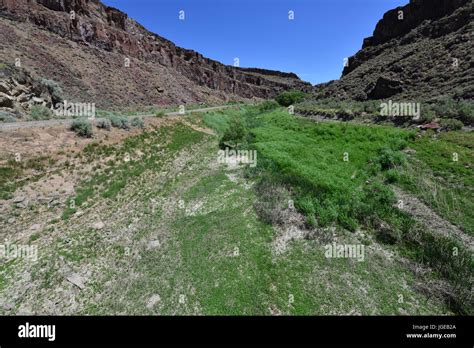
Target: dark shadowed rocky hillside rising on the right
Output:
[(422, 50)]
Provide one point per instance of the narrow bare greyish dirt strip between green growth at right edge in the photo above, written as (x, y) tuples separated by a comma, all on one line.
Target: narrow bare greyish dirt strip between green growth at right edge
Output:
[(423, 213)]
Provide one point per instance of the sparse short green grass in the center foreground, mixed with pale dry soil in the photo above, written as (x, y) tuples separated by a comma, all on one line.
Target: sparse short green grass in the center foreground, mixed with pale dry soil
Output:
[(197, 260)]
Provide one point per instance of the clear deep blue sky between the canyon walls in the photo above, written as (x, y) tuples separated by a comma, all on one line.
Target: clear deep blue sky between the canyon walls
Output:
[(259, 33)]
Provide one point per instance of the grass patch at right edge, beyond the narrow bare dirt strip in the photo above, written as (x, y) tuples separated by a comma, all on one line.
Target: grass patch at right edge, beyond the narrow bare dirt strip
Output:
[(447, 186)]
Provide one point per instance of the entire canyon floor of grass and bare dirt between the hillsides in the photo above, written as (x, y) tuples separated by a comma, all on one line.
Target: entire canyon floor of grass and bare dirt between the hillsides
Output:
[(148, 221)]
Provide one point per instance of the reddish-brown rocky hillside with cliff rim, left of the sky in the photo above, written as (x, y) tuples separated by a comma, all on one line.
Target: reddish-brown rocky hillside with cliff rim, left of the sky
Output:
[(97, 54)]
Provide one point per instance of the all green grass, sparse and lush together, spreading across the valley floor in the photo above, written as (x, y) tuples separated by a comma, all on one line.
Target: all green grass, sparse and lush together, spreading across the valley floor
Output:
[(196, 256)]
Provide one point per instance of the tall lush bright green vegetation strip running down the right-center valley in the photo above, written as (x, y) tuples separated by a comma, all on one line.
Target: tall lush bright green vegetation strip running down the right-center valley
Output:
[(339, 174)]
